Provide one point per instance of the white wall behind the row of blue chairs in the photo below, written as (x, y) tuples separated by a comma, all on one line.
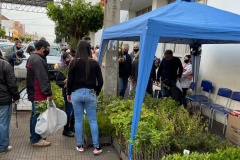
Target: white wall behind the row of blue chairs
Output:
[(220, 63)]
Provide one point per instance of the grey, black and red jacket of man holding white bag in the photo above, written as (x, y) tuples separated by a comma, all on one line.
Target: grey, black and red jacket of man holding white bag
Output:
[(38, 82)]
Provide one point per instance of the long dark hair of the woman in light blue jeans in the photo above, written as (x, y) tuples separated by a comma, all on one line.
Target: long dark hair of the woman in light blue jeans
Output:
[(83, 52)]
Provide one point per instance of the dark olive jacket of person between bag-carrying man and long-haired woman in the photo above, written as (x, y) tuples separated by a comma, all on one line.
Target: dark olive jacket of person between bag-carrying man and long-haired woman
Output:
[(61, 76)]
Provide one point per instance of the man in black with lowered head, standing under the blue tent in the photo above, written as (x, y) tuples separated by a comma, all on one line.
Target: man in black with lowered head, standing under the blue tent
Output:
[(170, 68)]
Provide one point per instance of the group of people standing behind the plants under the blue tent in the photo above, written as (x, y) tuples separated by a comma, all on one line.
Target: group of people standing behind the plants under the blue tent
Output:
[(169, 72)]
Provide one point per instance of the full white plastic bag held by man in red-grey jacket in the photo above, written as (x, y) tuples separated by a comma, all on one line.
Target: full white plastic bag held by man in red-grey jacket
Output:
[(50, 121)]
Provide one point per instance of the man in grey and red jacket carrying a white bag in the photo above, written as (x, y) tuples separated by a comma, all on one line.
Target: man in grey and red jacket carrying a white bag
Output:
[(38, 86)]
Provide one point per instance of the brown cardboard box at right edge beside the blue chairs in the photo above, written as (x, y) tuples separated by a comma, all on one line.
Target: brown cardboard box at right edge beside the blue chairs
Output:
[(233, 129)]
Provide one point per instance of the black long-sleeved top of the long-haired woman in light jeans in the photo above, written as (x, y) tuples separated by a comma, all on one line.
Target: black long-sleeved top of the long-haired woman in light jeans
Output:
[(77, 77)]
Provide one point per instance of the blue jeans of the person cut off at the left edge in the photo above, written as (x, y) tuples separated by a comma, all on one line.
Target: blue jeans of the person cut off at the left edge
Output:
[(5, 119)]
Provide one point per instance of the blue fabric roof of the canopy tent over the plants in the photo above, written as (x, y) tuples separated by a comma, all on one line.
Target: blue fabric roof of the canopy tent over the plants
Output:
[(188, 20)]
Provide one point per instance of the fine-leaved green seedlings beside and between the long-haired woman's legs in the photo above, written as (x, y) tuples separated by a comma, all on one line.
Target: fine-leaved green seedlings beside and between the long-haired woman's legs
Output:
[(104, 126)]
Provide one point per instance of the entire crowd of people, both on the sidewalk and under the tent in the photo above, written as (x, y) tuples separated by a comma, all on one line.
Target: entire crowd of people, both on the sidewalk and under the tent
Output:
[(81, 80)]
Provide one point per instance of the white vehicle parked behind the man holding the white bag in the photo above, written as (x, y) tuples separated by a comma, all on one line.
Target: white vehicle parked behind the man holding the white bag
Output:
[(53, 61)]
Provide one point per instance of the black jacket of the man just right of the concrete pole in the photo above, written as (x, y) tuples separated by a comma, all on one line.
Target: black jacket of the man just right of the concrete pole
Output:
[(125, 68)]
